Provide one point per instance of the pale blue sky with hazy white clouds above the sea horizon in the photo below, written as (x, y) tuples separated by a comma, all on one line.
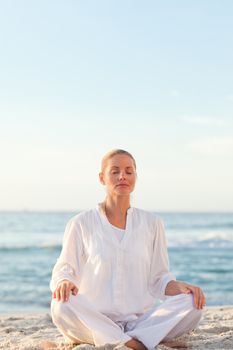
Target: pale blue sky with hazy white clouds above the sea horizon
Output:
[(79, 78)]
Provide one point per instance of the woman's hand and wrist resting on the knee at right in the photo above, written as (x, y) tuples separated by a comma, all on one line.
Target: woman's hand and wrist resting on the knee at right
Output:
[(177, 287)]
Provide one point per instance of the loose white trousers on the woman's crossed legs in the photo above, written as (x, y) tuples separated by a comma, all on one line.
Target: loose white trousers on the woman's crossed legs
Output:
[(79, 322)]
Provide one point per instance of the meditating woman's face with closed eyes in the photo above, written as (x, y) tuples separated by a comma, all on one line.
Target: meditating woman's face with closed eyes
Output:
[(119, 175)]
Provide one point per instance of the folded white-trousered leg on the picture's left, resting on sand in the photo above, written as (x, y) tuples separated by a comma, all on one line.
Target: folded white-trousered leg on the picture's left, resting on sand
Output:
[(80, 322)]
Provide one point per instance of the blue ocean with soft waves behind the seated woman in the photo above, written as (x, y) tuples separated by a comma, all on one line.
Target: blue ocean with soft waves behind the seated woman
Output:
[(200, 247)]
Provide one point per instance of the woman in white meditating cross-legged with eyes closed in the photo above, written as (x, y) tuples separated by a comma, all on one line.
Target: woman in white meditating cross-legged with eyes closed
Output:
[(113, 266)]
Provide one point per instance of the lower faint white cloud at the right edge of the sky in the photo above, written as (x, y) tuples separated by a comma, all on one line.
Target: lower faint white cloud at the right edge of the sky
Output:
[(216, 146)]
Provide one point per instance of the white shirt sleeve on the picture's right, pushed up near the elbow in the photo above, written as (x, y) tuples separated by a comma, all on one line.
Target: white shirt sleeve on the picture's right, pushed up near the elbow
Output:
[(159, 273)]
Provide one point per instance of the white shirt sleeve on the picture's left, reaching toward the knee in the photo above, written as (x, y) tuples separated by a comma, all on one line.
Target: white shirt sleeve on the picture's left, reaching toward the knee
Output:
[(70, 263)]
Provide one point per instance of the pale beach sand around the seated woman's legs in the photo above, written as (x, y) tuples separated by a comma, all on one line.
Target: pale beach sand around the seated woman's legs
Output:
[(37, 332)]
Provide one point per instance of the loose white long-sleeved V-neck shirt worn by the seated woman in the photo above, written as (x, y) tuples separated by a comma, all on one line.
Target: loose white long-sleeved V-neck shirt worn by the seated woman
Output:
[(121, 277)]
